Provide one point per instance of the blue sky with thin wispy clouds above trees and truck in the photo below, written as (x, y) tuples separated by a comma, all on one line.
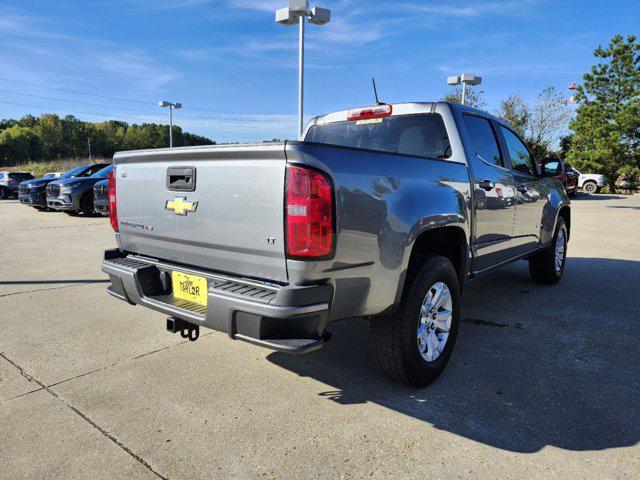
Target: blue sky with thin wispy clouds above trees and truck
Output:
[(234, 69)]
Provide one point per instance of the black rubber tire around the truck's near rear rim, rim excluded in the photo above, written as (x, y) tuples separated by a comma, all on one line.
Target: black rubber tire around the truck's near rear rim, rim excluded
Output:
[(393, 338)]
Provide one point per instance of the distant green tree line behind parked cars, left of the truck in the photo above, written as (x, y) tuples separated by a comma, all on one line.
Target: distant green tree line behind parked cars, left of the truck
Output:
[(50, 137)]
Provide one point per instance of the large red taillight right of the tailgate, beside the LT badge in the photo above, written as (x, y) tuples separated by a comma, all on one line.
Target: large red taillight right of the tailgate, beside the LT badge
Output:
[(308, 214)]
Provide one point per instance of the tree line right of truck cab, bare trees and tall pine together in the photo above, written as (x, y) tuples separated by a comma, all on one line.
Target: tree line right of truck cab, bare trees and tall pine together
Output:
[(603, 134)]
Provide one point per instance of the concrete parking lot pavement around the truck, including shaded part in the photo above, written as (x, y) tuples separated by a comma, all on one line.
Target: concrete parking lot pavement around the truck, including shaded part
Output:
[(544, 381)]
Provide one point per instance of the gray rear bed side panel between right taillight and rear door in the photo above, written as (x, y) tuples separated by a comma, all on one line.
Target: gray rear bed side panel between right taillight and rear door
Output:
[(383, 203)]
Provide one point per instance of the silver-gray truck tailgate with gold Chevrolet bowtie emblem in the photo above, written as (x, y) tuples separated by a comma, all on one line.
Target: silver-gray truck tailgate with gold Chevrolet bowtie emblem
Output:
[(231, 222)]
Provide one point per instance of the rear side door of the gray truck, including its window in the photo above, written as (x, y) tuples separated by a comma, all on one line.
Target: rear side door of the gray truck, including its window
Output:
[(494, 195)]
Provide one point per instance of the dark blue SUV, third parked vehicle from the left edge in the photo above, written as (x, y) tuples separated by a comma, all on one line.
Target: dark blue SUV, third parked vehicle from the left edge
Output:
[(73, 195)]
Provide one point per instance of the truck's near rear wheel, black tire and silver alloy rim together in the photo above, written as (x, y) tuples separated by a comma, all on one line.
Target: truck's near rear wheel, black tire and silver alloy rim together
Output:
[(414, 345)]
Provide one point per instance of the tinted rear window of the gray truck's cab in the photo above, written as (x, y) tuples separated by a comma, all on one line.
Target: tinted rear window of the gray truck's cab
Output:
[(423, 135)]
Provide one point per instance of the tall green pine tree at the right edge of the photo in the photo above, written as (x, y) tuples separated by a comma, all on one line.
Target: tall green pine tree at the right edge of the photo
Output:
[(607, 124)]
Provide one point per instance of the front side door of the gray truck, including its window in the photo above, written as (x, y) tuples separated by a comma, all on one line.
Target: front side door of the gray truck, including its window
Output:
[(531, 194)]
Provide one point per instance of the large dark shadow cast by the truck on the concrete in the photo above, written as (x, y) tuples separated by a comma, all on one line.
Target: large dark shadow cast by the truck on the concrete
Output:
[(534, 366)]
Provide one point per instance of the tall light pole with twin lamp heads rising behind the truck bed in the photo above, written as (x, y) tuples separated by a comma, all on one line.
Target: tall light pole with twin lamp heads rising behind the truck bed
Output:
[(296, 13)]
